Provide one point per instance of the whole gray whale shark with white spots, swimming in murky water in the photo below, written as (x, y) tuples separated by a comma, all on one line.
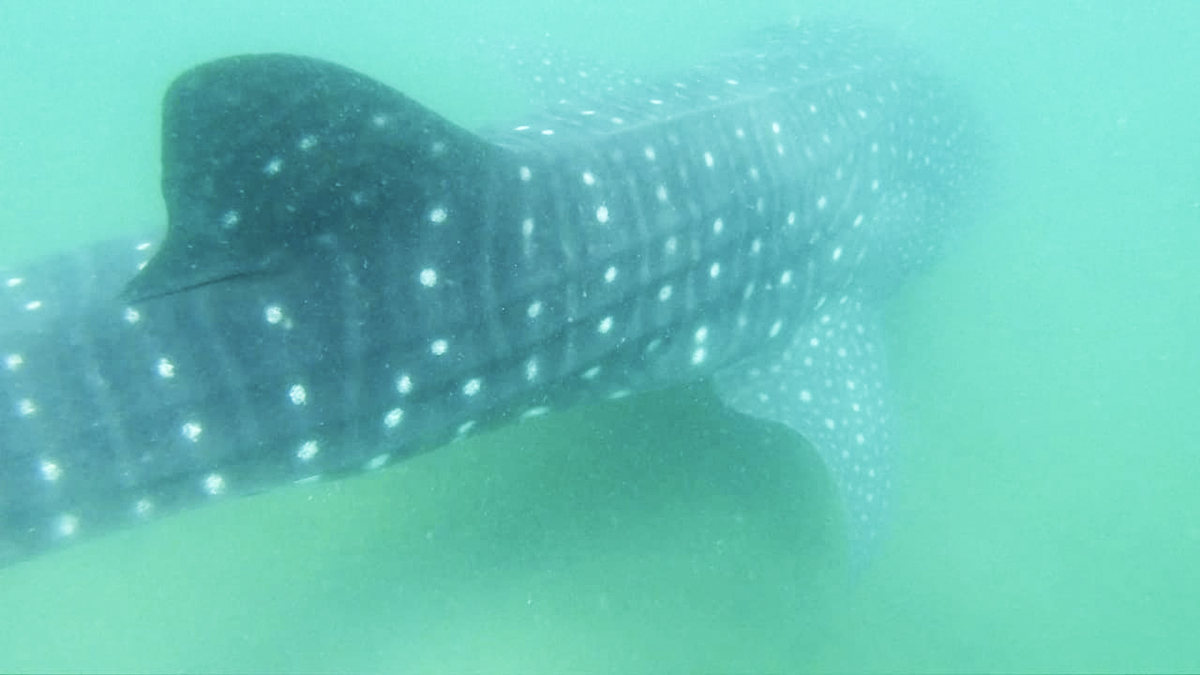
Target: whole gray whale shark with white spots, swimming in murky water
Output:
[(349, 279)]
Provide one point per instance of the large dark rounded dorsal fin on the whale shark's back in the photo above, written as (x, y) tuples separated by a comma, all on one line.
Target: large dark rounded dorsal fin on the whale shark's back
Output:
[(262, 154)]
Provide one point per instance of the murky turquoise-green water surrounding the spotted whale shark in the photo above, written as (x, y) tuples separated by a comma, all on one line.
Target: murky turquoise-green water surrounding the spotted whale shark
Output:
[(1048, 517)]
